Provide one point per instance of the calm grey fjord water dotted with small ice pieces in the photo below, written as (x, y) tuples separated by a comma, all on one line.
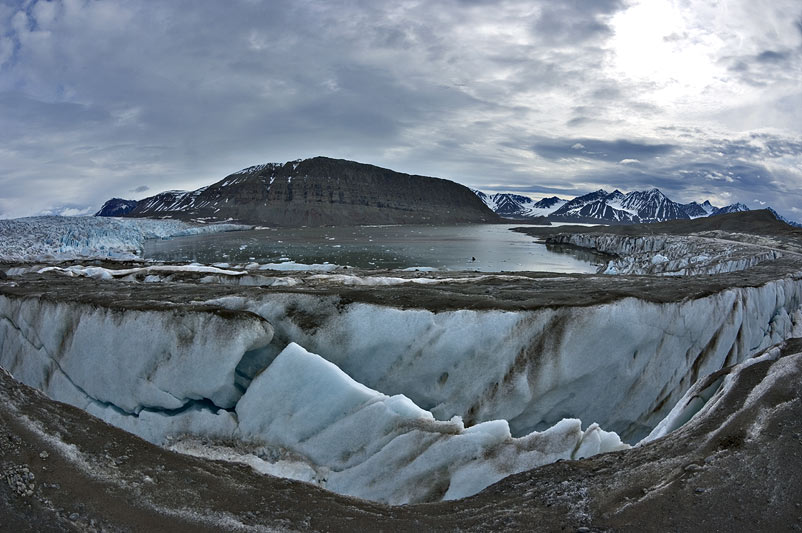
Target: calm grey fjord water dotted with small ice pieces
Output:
[(482, 247)]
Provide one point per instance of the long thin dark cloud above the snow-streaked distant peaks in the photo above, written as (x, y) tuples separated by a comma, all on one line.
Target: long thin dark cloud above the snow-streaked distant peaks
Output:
[(618, 150)]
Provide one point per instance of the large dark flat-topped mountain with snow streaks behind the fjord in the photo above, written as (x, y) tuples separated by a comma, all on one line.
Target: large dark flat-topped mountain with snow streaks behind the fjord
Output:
[(318, 192)]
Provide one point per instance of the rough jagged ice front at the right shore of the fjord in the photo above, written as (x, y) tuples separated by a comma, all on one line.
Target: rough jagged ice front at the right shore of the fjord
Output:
[(669, 255)]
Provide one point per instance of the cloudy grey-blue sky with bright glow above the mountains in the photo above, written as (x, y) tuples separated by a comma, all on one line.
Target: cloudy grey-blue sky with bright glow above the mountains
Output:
[(114, 98)]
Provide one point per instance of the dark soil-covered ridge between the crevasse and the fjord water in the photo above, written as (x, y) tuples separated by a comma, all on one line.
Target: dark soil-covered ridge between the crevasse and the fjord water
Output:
[(477, 291)]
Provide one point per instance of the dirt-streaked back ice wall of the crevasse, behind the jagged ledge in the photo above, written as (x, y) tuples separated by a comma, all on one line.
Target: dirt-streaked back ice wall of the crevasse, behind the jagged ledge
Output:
[(623, 364)]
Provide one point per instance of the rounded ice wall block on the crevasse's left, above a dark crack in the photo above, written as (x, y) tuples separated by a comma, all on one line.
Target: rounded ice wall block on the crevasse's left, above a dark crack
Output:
[(128, 360)]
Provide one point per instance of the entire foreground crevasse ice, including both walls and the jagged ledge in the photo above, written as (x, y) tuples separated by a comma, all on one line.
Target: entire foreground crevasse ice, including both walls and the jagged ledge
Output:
[(218, 374)]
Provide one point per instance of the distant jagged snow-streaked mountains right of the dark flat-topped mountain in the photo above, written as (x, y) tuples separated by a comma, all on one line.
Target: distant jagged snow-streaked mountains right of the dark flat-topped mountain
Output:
[(605, 207)]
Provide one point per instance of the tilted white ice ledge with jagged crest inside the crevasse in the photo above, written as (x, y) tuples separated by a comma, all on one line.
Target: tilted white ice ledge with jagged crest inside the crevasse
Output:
[(386, 448)]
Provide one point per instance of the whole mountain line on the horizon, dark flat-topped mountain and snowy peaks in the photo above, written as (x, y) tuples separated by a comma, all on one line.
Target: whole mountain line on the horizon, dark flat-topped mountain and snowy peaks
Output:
[(323, 191)]
